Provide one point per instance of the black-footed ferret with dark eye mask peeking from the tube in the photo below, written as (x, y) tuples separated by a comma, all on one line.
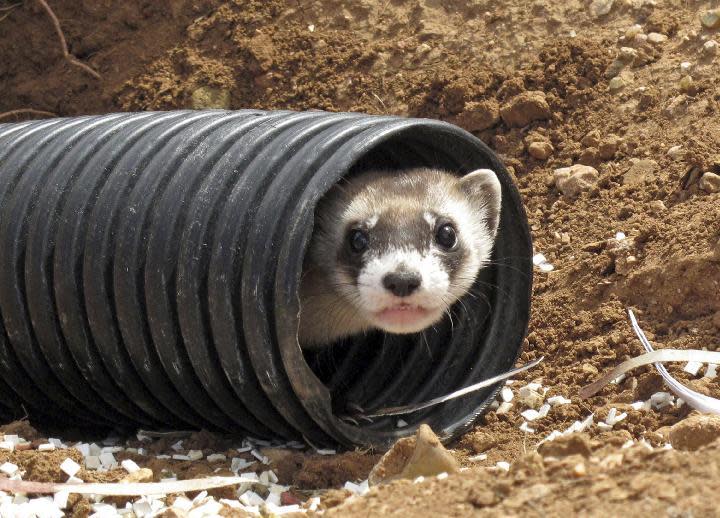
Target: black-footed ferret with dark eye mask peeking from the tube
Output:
[(394, 250)]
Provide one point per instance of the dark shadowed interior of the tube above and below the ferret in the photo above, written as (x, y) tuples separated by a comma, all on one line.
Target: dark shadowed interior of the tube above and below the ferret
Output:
[(378, 370)]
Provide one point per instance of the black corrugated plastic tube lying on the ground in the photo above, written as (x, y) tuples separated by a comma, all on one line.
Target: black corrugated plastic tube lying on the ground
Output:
[(150, 264)]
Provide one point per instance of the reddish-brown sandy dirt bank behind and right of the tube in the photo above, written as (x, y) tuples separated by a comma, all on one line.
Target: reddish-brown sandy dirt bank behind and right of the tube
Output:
[(547, 85)]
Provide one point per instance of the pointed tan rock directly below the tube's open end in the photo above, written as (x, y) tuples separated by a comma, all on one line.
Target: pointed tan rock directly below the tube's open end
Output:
[(422, 455)]
